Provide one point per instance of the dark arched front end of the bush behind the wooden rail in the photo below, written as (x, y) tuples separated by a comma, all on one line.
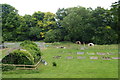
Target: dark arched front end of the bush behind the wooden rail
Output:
[(18, 57)]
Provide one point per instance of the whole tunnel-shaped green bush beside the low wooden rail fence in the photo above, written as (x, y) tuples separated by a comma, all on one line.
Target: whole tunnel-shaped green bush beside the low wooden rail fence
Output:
[(29, 54)]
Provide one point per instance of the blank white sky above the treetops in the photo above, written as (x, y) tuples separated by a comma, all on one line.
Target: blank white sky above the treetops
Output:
[(31, 6)]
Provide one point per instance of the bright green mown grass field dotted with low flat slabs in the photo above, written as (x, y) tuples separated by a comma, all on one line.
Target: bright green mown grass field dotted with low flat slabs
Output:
[(72, 67)]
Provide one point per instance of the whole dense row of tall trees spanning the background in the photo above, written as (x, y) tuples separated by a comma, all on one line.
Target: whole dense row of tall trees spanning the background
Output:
[(99, 26)]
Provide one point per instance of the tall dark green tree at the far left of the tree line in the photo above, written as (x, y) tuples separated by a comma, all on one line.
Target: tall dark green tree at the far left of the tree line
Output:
[(10, 21)]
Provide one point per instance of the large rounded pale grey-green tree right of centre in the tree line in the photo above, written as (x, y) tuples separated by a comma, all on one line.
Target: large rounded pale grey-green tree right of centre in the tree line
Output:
[(77, 24)]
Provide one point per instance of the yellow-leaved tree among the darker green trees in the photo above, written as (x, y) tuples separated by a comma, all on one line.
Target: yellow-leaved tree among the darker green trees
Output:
[(47, 23)]
